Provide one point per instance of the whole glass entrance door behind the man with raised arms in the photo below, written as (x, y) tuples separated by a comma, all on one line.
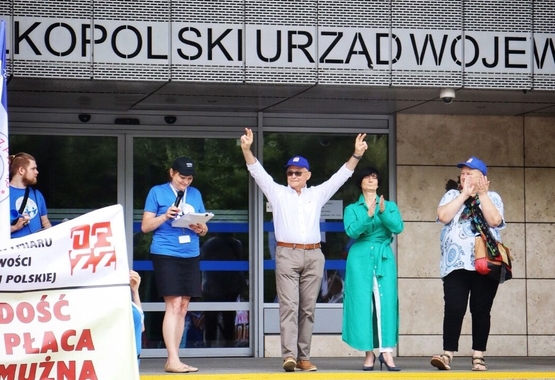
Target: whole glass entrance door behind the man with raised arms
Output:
[(326, 153)]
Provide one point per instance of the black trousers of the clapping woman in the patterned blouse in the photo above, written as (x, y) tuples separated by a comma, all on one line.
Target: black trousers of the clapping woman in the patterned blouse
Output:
[(457, 287)]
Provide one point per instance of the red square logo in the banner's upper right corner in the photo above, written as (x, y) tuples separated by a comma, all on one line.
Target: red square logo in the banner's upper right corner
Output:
[(92, 247)]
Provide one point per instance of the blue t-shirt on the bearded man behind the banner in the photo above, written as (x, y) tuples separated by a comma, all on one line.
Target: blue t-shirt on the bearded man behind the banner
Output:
[(35, 208)]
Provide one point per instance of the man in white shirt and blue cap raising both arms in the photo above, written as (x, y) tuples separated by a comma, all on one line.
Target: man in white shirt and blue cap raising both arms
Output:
[(299, 260)]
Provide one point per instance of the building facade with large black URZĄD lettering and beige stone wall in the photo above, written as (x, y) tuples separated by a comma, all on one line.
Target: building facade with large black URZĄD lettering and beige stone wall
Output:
[(133, 79)]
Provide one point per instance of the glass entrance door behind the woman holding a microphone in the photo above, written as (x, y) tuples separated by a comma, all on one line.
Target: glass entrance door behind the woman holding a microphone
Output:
[(217, 323)]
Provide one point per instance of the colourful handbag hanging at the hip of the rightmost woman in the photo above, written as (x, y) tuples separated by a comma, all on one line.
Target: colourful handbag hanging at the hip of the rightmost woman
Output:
[(498, 266)]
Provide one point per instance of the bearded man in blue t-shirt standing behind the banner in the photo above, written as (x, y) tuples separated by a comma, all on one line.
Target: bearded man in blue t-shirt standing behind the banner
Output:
[(27, 205)]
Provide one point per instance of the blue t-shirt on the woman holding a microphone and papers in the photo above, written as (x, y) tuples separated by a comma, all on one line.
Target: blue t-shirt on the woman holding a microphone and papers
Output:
[(166, 239)]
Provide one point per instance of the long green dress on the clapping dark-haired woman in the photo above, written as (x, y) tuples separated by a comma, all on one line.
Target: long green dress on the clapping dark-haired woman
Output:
[(371, 258)]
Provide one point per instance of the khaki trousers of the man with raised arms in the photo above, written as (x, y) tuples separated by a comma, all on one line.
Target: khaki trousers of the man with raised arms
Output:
[(298, 280)]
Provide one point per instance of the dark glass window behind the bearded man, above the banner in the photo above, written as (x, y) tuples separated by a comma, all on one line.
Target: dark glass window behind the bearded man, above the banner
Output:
[(77, 174)]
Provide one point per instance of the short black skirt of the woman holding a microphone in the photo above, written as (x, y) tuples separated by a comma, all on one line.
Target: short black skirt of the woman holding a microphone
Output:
[(176, 276)]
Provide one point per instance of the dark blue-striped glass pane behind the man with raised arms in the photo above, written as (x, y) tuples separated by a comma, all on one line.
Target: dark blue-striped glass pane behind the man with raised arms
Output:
[(325, 154)]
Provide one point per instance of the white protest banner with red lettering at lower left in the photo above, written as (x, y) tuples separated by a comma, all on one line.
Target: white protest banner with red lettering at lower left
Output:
[(65, 304)]
